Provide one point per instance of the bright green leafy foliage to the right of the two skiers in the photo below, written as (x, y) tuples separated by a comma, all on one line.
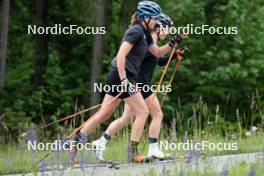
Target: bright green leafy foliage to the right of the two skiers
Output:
[(220, 65)]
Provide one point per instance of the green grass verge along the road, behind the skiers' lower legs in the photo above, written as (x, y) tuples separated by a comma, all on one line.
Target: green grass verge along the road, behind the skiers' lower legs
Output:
[(17, 159)]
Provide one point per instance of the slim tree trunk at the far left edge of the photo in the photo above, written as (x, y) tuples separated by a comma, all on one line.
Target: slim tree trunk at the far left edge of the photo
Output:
[(3, 45)]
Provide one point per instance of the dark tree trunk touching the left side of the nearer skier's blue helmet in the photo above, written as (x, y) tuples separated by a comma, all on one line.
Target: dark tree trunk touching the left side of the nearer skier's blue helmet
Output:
[(128, 8)]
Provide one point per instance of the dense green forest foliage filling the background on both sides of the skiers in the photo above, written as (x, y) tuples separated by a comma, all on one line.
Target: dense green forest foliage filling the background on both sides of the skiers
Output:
[(225, 70)]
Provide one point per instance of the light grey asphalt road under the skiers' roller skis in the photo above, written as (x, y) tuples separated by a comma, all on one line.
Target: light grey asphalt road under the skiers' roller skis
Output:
[(216, 163)]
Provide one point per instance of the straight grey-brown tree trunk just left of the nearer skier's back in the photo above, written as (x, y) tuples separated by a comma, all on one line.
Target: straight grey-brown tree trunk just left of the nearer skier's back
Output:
[(97, 51)]
